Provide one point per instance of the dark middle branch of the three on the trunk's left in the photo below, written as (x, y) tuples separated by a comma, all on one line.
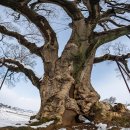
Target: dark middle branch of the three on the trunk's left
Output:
[(31, 46)]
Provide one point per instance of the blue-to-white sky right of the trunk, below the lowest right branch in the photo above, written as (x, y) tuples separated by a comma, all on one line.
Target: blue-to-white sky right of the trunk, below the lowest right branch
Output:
[(106, 82)]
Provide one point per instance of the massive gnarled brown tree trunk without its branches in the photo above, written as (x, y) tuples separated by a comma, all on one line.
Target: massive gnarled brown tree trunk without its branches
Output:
[(66, 90)]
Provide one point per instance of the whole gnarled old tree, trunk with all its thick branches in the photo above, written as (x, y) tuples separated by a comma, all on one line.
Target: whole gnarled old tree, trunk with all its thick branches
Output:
[(66, 90)]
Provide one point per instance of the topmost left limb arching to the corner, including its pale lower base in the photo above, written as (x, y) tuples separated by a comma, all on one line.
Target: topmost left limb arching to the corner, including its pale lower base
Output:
[(49, 50)]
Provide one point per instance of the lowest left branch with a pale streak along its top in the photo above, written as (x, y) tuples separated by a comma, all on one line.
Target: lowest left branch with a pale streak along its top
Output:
[(17, 67)]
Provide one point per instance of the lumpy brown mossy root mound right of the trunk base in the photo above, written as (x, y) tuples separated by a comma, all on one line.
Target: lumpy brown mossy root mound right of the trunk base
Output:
[(117, 115)]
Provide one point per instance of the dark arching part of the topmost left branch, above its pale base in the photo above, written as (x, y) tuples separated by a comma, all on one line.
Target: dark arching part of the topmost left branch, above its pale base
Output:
[(40, 21)]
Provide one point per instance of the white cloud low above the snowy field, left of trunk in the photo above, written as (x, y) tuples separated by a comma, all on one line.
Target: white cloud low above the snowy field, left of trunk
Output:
[(11, 97)]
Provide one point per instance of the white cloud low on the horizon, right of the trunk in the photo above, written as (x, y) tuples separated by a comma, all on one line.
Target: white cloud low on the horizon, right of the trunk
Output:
[(115, 88)]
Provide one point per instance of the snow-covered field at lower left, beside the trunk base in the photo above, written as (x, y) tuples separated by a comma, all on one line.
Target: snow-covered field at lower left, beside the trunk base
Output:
[(14, 117)]
